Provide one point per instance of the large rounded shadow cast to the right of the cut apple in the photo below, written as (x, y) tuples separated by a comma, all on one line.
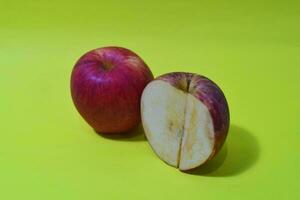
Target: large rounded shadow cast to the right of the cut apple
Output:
[(239, 153)]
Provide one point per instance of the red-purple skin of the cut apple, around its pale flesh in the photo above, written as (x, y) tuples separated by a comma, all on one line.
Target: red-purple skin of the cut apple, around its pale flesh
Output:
[(211, 96)]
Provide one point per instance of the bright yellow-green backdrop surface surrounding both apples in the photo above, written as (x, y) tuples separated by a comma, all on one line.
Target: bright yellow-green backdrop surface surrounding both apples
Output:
[(251, 49)]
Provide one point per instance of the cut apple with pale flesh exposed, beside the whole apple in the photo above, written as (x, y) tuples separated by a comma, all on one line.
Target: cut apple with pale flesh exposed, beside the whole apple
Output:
[(185, 117)]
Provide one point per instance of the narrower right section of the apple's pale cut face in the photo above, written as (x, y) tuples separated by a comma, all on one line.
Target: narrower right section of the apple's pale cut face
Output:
[(198, 137)]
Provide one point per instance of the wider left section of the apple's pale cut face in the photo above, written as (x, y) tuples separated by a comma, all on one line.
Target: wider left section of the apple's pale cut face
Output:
[(163, 108)]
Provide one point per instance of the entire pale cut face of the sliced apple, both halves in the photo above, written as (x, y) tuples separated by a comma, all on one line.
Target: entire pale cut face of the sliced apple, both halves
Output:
[(178, 126)]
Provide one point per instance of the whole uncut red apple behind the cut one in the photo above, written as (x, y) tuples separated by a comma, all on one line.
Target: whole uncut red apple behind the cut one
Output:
[(106, 88)]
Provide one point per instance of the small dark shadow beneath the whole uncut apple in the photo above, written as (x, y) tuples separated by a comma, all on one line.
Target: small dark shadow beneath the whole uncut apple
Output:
[(135, 135)]
